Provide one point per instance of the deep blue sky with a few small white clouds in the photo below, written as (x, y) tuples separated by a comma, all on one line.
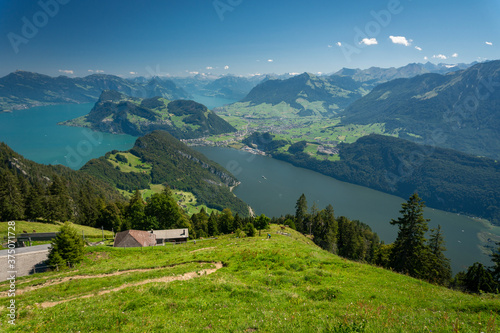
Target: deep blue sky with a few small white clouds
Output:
[(241, 37)]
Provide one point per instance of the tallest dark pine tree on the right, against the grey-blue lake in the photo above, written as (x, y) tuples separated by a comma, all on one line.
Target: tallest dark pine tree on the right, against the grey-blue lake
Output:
[(410, 252)]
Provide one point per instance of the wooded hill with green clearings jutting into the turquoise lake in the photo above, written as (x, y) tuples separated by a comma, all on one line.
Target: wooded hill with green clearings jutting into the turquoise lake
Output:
[(118, 113)]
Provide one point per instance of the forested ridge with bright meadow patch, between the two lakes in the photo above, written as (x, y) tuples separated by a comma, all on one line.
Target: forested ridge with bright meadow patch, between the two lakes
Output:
[(160, 159)]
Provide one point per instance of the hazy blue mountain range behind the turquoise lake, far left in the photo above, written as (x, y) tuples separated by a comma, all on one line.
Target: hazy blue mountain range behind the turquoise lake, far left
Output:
[(22, 90)]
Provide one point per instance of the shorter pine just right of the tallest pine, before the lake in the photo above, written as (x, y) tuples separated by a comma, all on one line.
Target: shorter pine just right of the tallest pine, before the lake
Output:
[(439, 269)]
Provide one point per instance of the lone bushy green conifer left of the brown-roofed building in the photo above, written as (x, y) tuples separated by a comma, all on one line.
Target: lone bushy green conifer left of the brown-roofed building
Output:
[(67, 247)]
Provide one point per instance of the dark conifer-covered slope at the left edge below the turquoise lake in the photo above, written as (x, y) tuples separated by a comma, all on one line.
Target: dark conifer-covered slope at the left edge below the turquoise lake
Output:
[(33, 191)]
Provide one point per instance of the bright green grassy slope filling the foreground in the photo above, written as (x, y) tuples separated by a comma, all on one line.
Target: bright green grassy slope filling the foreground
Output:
[(285, 284)]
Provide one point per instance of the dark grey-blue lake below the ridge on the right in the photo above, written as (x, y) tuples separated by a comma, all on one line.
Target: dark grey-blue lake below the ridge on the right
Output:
[(272, 187)]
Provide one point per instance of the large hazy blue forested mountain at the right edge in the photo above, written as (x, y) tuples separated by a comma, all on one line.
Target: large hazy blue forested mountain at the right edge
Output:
[(458, 110)]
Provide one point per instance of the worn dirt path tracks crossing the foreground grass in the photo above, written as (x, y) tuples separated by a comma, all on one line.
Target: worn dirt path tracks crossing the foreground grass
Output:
[(81, 277)]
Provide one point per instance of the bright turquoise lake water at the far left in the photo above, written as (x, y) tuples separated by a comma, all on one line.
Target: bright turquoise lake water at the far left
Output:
[(34, 133)]
